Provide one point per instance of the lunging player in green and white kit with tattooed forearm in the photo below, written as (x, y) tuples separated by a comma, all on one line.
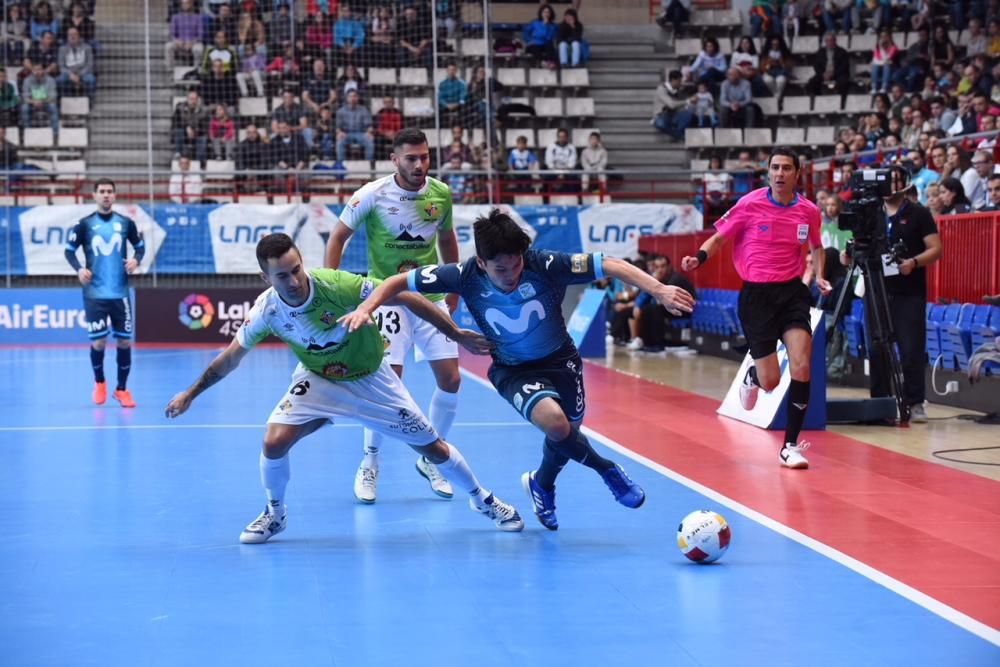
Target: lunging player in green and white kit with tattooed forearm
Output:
[(339, 374)]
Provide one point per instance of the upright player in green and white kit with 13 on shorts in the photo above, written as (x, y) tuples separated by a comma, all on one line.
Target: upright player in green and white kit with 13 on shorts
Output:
[(407, 217)]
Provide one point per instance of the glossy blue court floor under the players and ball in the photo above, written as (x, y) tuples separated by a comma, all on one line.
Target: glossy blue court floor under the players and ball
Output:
[(121, 547)]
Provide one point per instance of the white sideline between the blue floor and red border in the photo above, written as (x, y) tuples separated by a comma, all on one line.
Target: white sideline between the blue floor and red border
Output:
[(932, 605)]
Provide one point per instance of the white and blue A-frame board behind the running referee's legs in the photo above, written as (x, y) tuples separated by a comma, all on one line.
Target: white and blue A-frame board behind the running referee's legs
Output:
[(771, 411)]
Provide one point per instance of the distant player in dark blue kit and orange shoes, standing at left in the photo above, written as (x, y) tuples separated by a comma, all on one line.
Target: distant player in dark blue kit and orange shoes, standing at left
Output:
[(103, 235)]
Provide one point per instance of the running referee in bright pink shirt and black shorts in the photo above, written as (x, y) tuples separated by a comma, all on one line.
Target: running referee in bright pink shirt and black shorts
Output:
[(768, 227)]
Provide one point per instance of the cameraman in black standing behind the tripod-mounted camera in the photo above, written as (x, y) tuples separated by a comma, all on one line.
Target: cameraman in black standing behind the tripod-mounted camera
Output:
[(908, 222)]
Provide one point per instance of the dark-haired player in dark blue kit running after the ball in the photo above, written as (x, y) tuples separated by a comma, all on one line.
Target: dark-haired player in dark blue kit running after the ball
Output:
[(515, 295)]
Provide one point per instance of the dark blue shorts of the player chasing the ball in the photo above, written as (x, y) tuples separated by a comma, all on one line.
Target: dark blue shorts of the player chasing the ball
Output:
[(559, 375)]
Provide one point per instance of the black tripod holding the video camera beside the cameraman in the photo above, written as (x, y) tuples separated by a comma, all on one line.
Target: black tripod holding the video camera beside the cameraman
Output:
[(881, 346)]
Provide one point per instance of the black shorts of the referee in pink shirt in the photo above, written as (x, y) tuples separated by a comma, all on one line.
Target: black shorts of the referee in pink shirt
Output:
[(768, 310)]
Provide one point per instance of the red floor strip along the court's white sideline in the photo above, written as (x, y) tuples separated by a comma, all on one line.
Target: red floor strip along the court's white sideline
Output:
[(930, 527)]
